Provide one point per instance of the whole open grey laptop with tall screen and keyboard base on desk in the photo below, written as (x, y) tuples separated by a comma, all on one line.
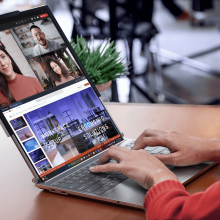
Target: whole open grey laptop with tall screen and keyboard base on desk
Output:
[(53, 112)]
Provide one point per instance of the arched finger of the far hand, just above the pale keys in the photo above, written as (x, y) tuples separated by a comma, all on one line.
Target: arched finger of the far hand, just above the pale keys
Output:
[(150, 141)]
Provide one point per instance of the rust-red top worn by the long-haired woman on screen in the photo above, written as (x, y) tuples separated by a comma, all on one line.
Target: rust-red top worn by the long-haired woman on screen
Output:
[(22, 87)]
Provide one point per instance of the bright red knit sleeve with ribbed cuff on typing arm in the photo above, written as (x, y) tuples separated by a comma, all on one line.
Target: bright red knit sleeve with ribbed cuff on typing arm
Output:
[(169, 200)]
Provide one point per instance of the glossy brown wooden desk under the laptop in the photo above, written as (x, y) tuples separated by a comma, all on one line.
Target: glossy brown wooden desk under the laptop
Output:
[(20, 199)]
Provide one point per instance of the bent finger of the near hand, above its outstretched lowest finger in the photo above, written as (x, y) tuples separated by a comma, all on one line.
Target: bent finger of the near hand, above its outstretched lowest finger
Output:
[(114, 152)]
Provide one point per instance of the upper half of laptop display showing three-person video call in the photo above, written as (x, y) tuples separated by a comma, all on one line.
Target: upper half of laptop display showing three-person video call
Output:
[(33, 58)]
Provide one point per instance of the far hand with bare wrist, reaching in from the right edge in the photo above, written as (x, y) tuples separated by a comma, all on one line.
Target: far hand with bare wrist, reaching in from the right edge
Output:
[(185, 150)]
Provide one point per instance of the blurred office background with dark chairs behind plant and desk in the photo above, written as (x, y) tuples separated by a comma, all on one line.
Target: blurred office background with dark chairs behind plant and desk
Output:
[(173, 46)]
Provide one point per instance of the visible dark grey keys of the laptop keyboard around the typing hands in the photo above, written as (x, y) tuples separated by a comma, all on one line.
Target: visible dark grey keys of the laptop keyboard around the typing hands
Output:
[(84, 181)]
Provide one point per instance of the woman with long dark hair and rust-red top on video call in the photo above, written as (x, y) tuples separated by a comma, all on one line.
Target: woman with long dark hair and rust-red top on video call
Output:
[(13, 85)]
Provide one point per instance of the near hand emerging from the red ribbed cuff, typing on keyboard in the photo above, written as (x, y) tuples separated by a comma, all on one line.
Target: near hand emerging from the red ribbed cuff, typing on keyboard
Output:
[(138, 165)]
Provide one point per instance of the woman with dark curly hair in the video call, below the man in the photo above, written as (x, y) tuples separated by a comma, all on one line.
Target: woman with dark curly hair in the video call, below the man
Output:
[(56, 70)]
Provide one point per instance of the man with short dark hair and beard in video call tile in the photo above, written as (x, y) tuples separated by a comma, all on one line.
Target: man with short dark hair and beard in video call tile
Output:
[(43, 45)]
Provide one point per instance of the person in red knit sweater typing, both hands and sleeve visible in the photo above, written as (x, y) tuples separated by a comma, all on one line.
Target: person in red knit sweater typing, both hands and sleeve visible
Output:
[(167, 198)]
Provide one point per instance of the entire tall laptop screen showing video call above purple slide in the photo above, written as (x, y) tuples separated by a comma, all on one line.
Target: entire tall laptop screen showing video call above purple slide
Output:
[(47, 100)]
